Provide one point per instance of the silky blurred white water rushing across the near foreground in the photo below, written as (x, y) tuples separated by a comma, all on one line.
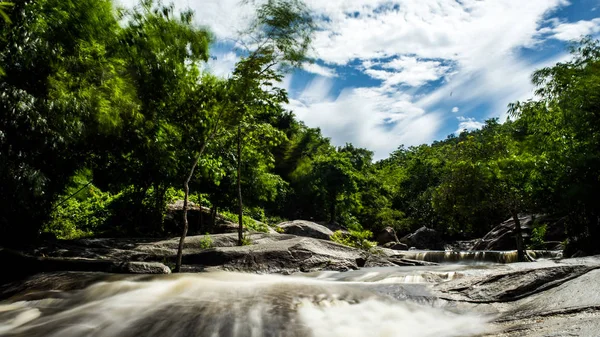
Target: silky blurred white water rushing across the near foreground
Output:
[(229, 304)]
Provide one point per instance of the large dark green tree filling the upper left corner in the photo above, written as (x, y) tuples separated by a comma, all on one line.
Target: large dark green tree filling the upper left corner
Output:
[(58, 99)]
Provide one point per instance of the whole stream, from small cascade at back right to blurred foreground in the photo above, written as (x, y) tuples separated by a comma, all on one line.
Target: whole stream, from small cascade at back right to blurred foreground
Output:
[(384, 301)]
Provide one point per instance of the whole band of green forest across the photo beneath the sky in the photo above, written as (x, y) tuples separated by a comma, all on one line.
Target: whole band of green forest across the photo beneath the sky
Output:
[(107, 115)]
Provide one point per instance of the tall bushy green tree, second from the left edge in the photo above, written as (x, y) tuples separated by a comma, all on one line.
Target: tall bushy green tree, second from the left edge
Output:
[(162, 51)]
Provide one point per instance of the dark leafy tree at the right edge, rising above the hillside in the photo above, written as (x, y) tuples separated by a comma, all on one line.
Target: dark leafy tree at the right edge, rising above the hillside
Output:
[(563, 124)]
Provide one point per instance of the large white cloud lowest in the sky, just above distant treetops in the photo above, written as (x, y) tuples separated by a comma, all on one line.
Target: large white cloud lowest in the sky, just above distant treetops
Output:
[(367, 117)]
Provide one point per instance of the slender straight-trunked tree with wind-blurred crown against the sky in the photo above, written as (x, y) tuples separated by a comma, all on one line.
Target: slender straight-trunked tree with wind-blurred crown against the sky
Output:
[(277, 41)]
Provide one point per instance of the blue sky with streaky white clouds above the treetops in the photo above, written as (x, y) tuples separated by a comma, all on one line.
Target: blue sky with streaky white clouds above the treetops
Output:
[(407, 72)]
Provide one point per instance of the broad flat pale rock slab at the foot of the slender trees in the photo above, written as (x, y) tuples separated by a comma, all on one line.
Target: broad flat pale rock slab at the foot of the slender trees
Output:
[(285, 256)]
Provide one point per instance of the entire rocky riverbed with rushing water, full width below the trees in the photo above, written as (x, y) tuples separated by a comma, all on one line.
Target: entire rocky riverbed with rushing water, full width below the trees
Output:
[(550, 297)]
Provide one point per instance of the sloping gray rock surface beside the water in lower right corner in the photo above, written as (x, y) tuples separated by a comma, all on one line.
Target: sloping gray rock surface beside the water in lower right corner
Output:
[(549, 298)]
